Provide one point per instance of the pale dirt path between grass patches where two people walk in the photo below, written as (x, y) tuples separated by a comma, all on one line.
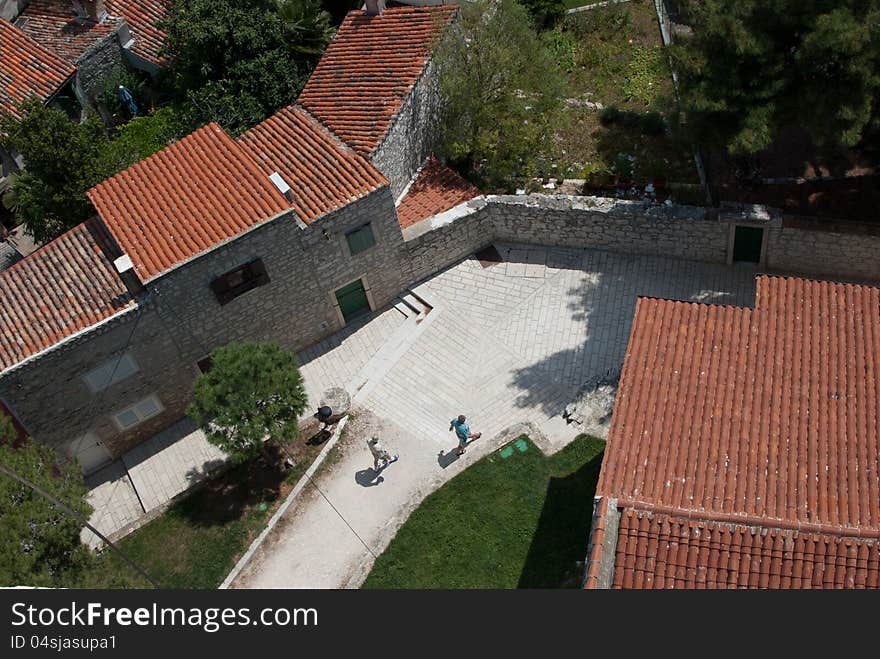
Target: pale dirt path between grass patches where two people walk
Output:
[(313, 547)]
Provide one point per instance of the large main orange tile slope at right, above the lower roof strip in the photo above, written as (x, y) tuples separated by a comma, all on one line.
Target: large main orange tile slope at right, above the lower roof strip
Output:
[(764, 417)]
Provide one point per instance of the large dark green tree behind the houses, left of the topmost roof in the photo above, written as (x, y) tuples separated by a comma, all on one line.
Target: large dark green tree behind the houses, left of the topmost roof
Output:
[(236, 63)]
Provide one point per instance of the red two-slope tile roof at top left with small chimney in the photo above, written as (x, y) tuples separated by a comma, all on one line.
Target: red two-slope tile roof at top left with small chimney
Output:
[(53, 23)]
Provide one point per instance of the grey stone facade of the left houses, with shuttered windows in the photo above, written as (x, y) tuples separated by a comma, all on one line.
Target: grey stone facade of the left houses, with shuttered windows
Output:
[(179, 321)]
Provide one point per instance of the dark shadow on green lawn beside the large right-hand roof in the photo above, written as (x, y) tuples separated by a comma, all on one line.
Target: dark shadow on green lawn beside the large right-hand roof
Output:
[(559, 545)]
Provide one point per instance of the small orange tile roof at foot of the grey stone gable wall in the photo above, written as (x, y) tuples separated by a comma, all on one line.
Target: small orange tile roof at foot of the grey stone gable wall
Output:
[(435, 189)]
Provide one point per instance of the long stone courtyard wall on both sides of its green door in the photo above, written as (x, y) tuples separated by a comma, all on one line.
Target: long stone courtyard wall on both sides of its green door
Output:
[(683, 232)]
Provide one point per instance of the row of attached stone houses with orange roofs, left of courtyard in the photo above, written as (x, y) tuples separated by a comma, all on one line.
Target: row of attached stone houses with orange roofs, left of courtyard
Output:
[(283, 234)]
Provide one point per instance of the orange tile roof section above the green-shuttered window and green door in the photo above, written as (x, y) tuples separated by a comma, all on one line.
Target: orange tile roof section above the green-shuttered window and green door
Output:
[(324, 174)]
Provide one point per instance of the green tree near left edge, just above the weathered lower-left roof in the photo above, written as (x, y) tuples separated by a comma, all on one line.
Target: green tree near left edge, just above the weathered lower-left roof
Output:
[(60, 158)]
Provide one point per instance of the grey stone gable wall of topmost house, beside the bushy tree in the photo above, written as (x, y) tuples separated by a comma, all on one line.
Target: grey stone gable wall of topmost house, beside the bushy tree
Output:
[(412, 135)]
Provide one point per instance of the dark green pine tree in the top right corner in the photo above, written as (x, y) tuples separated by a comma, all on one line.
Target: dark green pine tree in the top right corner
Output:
[(753, 67)]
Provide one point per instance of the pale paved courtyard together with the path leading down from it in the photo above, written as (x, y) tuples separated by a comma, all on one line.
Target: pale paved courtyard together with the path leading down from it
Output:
[(505, 344)]
